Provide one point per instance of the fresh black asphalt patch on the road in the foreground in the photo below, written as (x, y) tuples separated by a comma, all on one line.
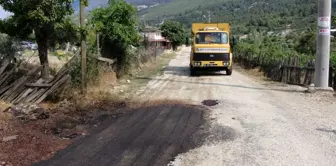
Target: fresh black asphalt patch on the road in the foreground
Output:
[(151, 135)]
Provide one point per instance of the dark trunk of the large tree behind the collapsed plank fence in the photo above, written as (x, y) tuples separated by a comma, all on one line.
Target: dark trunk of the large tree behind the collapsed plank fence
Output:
[(43, 55)]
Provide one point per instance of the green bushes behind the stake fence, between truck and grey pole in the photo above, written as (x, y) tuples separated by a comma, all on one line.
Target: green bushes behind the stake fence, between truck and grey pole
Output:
[(276, 48)]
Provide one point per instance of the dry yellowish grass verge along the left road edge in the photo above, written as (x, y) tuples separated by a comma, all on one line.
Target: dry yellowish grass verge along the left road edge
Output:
[(109, 88)]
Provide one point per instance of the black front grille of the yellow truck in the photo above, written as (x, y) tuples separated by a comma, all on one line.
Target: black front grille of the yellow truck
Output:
[(211, 57)]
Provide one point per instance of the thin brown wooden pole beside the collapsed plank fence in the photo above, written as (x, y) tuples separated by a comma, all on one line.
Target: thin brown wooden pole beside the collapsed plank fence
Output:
[(83, 47)]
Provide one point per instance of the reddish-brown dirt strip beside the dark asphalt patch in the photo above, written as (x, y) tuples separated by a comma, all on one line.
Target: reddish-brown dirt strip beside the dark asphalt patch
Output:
[(30, 133)]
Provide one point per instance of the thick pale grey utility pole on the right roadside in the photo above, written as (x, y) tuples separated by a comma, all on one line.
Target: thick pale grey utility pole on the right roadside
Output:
[(323, 44)]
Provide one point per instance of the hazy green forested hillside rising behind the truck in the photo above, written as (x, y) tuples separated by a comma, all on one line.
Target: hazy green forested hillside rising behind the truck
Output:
[(244, 15)]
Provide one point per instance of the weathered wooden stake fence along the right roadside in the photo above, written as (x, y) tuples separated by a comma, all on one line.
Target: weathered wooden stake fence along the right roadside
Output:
[(292, 70)]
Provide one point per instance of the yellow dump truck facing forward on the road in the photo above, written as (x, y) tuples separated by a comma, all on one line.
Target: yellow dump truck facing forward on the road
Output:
[(210, 49)]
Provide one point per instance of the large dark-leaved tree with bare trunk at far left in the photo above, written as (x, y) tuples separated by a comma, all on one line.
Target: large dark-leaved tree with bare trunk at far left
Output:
[(41, 17)]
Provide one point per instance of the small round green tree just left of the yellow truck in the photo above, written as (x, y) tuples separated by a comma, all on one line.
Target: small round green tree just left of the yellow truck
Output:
[(175, 32)]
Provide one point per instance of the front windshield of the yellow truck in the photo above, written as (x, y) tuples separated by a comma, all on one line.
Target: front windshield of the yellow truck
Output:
[(211, 37)]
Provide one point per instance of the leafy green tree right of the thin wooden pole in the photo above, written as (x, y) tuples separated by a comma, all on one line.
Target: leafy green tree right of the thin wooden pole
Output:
[(116, 25)]
